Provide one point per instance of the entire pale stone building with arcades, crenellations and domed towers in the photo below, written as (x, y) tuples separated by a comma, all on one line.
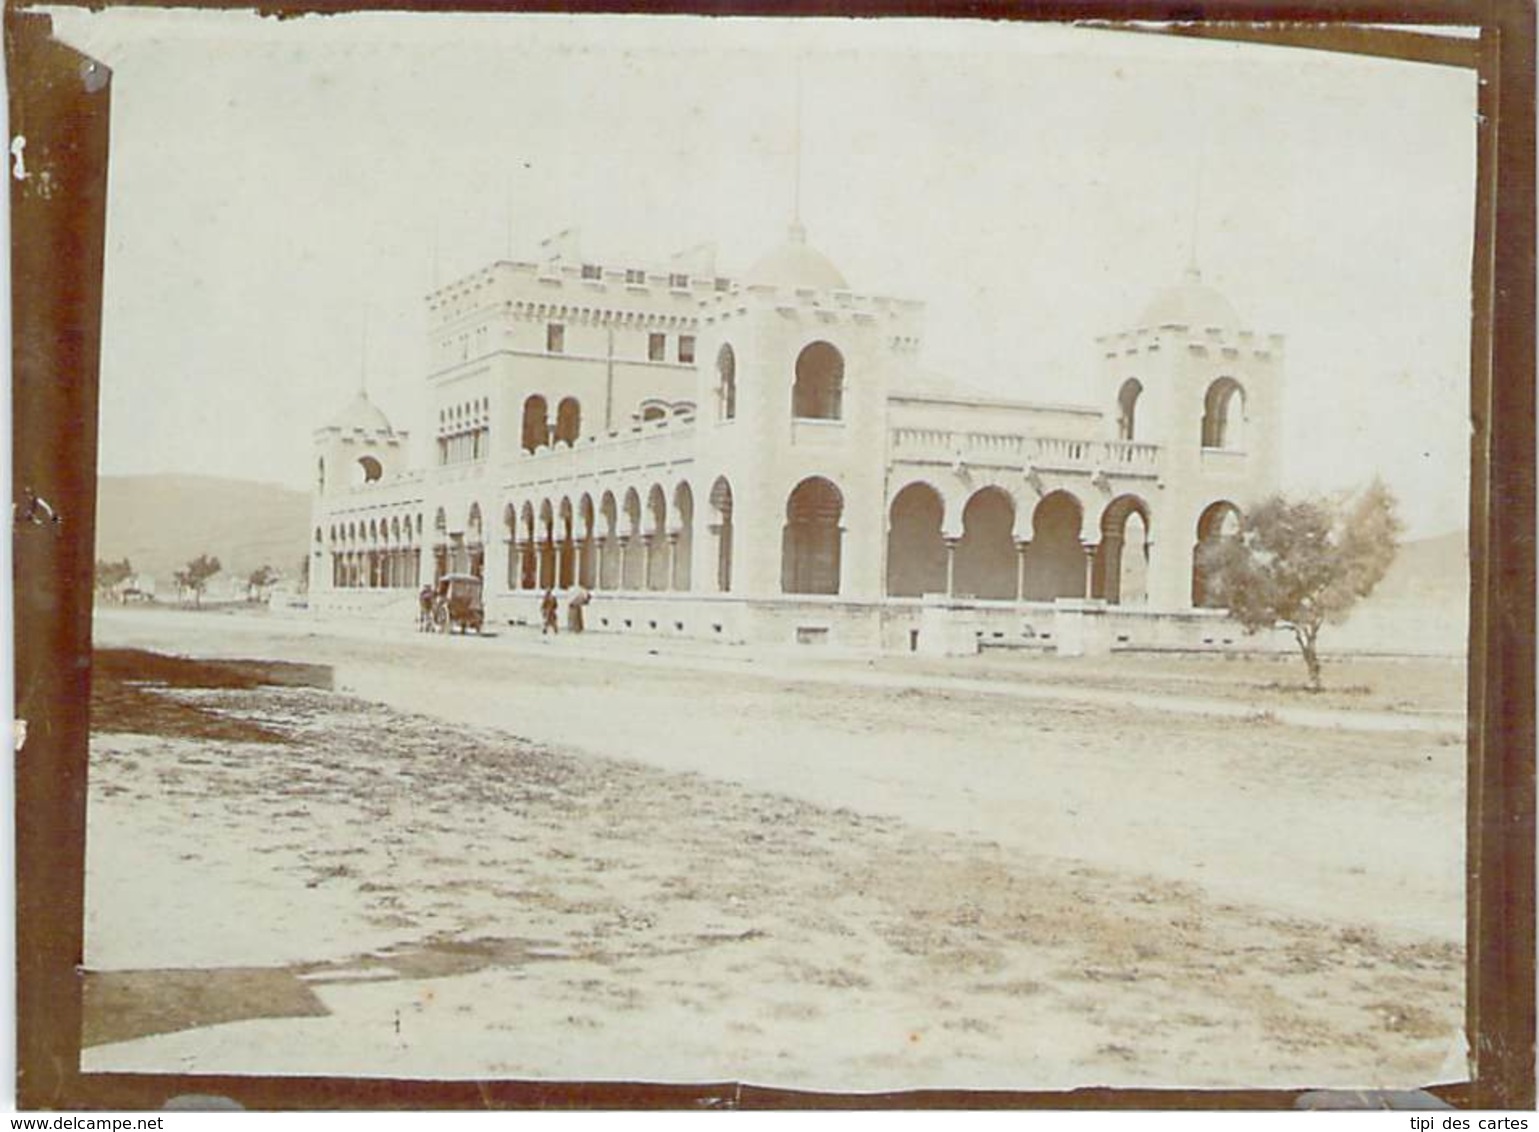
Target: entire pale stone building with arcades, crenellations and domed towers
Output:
[(759, 459)]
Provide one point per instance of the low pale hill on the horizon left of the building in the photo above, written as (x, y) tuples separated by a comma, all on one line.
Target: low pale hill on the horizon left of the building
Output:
[(161, 522)]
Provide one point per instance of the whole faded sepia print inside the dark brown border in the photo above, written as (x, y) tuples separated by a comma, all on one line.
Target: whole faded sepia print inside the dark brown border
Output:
[(844, 556)]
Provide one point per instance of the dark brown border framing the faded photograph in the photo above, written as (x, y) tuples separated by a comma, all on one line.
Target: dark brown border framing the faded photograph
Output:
[(61, 101)]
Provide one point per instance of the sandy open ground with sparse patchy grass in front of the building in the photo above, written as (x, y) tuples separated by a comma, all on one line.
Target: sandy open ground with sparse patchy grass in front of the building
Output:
[(599, 859)]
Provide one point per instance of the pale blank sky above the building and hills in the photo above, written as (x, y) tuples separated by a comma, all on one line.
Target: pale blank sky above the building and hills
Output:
[(276, 185)]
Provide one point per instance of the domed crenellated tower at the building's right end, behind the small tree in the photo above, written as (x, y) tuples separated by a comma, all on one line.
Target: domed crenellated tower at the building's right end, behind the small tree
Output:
[(1192, 381)]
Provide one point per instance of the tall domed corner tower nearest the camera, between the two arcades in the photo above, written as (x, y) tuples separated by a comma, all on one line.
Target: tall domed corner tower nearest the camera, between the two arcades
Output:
[(795, 373)]
